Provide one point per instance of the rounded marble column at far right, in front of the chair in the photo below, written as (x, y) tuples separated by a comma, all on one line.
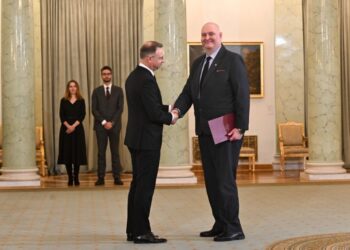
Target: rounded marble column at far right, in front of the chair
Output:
[(322, 33)]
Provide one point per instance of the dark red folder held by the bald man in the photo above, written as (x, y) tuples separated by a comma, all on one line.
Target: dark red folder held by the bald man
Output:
[(221, 126)]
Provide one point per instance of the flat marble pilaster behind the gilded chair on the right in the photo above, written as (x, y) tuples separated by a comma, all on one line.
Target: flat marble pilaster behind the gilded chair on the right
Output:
[(289, 69)]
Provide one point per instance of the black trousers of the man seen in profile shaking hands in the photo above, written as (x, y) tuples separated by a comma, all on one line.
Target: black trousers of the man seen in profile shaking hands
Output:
[(145, 164)]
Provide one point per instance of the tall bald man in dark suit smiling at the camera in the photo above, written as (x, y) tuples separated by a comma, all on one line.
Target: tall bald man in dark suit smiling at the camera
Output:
[(218, 85)]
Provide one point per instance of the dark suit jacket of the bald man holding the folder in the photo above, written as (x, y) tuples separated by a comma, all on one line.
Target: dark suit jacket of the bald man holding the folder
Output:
[(225, 90)]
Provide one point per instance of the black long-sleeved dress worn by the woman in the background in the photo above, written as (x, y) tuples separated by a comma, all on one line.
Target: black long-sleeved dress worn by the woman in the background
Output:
[(72, 147)]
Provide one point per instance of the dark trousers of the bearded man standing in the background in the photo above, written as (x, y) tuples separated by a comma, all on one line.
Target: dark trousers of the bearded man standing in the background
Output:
[(102, 136)]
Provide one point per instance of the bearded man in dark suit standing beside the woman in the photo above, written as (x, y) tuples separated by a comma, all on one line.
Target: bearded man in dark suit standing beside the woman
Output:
[(107, 108)]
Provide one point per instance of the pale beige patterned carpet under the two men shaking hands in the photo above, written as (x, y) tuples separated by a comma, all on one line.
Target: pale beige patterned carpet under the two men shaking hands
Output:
[(74, 218)]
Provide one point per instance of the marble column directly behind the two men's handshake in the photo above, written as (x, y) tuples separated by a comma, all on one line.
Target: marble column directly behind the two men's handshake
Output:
[(170, 29)]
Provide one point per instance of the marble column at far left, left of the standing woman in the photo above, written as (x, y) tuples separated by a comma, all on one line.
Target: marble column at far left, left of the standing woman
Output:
[(17, 78)]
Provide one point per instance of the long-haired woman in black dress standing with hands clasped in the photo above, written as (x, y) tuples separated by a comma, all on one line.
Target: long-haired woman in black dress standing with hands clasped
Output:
[(72, 147)]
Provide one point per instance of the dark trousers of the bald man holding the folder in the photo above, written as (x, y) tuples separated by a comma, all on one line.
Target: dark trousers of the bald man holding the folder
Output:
[(220, 166)]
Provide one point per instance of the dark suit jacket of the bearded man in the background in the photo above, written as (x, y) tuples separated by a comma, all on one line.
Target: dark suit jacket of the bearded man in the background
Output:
[(110, 109)]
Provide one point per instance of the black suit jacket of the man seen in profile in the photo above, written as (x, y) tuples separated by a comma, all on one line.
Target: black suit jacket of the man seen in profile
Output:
[(146, 112)]
